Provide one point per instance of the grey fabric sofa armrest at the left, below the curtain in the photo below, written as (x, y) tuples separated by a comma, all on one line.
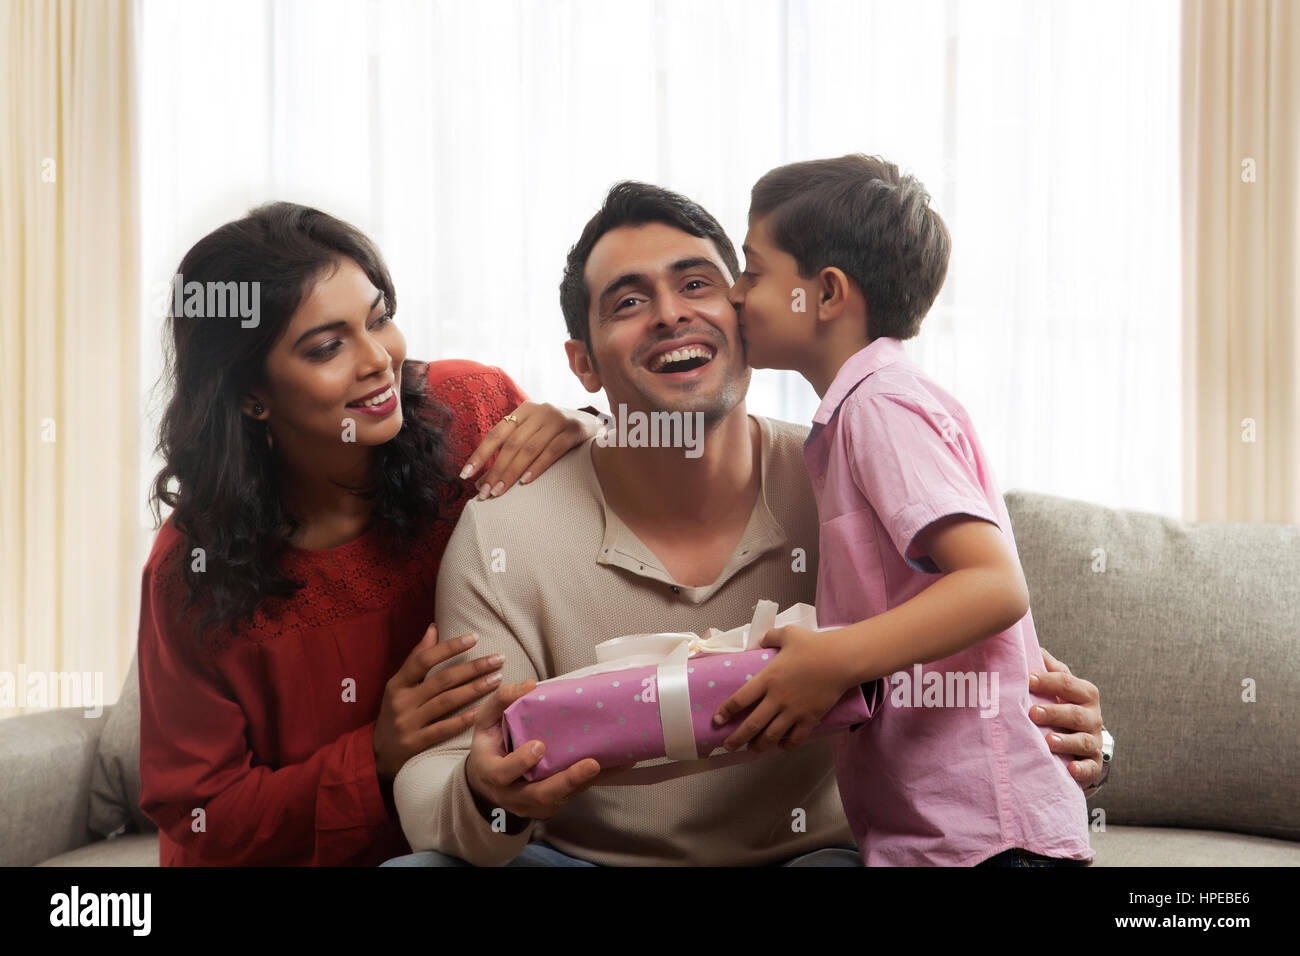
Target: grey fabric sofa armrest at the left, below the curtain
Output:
[(46, 763)]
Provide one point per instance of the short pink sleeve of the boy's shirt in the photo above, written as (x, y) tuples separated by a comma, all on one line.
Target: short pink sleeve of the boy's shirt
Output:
[(916, 465)]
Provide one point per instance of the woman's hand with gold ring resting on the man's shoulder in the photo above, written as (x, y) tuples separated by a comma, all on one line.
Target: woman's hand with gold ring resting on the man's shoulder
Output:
[(528, 447)]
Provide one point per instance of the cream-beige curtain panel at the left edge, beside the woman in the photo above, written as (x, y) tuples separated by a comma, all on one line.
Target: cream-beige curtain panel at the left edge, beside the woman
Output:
[(70, 514)]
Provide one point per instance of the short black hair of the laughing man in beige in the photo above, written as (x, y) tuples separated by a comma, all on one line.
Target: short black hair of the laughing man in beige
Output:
[(632, 205)]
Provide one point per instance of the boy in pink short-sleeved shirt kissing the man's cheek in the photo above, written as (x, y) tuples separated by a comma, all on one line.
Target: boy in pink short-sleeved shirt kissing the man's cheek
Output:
[(918, 568)]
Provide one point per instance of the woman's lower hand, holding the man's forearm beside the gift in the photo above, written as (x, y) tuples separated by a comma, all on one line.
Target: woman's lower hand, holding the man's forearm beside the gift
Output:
[(414, 712)]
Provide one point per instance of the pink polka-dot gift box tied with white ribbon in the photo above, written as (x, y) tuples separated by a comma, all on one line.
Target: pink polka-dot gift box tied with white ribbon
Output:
[(651, 699)]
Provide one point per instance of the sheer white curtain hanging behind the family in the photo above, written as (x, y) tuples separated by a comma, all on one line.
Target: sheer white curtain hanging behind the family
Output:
[(474, 140)]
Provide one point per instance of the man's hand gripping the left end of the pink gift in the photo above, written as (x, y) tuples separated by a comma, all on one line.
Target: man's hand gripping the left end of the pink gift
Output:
[(496, 777)]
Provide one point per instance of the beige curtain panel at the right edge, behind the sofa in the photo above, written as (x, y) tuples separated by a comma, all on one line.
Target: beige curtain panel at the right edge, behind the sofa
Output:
[(1241, 267)]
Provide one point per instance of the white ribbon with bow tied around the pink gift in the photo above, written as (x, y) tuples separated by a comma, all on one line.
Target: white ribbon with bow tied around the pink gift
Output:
[(669, 654)]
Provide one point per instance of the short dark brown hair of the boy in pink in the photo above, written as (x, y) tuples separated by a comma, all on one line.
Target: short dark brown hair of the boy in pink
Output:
[(861, 215)]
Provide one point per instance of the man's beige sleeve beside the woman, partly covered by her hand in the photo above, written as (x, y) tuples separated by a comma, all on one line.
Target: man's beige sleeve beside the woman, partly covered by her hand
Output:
[(435, 803)]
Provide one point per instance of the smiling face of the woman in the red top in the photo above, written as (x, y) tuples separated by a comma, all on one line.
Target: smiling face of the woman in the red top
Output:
[(335, 377)]
